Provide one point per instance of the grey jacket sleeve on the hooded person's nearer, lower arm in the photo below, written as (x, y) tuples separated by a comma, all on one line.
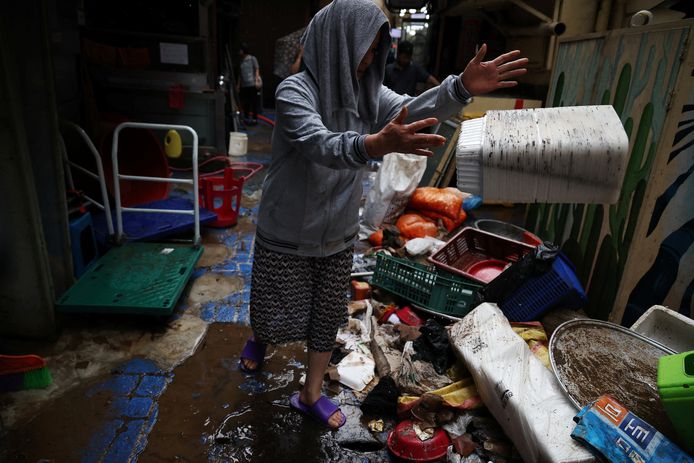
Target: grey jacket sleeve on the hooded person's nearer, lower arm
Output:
[(301, 126)]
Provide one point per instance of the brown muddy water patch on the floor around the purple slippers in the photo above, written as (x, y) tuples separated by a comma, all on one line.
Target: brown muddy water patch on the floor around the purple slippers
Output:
[(214, 412)]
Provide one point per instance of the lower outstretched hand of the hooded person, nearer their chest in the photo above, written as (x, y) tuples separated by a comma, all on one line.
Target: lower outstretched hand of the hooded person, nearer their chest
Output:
[(398, 137)]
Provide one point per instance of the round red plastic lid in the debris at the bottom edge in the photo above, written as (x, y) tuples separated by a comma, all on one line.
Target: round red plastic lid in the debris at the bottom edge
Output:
[(404, 443)]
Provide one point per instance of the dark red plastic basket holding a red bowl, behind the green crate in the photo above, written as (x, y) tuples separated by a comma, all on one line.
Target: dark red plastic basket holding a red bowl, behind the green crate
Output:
[(478, 255)]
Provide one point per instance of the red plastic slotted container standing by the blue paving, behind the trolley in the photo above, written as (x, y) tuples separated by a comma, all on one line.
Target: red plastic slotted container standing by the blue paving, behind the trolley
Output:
[(222, 195)]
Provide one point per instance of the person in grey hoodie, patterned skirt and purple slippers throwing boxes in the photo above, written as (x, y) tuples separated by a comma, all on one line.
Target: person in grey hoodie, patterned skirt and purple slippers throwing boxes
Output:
[(332, 119)]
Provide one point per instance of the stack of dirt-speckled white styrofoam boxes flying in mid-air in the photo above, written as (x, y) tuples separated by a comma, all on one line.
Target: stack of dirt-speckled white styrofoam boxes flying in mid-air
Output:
[(550, 155)]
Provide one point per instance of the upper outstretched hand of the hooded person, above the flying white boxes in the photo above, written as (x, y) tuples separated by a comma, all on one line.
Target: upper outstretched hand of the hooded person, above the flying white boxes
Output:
[(481, 77)]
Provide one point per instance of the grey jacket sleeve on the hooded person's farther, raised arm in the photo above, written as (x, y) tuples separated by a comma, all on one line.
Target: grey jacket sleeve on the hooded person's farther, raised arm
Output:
[(440, 102)]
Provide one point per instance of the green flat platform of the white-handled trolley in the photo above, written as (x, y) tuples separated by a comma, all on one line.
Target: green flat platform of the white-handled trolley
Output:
[(139, 278)]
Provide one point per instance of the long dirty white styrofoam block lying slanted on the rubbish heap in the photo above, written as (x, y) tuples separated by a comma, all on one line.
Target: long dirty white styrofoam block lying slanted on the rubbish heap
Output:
[(524, 396)]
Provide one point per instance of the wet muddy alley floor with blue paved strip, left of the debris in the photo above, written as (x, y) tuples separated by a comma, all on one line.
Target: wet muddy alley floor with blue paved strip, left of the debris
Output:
[(132, 388)]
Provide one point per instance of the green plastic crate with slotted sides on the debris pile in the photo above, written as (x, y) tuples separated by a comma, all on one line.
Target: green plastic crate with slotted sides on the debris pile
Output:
[(425, 286)]
